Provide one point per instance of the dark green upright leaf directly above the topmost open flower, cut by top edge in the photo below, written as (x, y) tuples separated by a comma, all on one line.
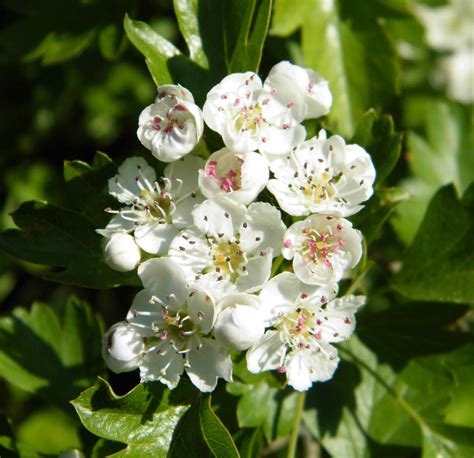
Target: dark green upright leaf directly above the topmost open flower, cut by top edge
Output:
[(254, 20)]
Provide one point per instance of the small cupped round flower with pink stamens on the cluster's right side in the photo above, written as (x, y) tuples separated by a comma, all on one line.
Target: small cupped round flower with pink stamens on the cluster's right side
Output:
[(322, 248)]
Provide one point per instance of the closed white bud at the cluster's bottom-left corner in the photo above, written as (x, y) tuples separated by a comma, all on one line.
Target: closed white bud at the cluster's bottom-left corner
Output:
[(122, 347)]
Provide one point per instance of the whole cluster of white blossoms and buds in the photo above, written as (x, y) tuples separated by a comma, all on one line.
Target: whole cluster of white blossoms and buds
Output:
[(204, 245)]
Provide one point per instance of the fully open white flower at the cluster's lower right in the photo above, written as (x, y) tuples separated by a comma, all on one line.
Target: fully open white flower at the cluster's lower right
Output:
[(305, 321)]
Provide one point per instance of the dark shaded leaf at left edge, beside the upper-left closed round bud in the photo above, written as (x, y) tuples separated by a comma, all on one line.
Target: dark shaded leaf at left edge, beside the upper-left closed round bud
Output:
[(54, 236)]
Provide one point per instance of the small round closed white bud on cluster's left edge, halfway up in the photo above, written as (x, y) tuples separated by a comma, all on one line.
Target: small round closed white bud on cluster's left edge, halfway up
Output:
[(121, 252)]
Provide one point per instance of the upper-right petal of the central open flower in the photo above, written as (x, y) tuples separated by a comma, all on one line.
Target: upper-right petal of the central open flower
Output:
[(265, 229)]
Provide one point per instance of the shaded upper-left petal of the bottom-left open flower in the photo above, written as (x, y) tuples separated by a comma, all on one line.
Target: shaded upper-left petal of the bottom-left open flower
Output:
[(165, 279)]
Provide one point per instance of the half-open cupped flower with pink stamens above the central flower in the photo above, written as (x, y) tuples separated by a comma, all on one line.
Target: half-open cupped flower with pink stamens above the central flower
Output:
[(240, 177)]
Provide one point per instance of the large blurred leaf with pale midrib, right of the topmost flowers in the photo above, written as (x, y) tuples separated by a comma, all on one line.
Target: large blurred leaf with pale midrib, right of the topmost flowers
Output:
[(349, 47)]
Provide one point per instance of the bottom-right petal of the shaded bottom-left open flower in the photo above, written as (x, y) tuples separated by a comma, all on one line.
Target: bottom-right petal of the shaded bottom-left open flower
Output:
[(208, 363)]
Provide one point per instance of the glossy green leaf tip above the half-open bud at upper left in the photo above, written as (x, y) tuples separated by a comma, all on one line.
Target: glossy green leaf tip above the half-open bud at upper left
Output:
[(156, 49)]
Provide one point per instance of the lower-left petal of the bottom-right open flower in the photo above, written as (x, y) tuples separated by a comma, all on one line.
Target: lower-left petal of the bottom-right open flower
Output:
[(267, 354)]
